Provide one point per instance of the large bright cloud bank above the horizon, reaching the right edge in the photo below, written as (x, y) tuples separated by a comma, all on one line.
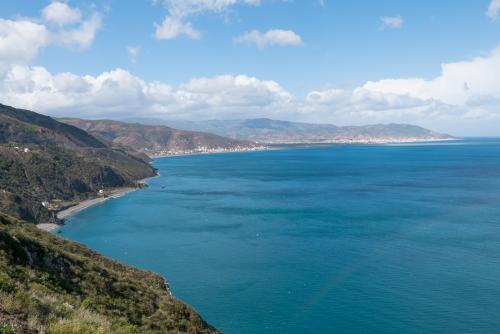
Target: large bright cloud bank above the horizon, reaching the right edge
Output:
[(465, 92)]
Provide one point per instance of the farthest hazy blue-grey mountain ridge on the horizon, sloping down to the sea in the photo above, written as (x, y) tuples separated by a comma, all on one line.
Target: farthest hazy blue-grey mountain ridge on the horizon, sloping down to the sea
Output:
[(263, 130)]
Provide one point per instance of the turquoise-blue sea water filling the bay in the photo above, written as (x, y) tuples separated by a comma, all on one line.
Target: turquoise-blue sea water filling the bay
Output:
[(345, 239)]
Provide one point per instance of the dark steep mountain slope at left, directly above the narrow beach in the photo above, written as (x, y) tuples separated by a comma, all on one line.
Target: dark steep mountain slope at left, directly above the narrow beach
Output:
[(45, 164)]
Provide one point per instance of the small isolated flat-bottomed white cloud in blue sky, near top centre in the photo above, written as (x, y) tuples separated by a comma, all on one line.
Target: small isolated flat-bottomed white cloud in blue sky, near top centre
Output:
[(276, 37)]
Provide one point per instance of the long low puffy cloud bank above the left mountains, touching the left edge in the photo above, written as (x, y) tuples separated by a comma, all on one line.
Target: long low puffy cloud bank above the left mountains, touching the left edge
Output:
[(122, 93)]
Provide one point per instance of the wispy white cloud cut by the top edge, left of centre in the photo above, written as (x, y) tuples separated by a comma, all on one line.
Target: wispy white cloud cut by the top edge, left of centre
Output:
[(176, 22)]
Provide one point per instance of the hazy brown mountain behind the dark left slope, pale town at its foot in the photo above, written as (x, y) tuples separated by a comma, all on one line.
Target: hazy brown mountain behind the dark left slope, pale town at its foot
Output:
[(157, 139)]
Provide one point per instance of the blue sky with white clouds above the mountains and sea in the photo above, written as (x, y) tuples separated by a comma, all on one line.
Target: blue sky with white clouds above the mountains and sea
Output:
[(424, 62)]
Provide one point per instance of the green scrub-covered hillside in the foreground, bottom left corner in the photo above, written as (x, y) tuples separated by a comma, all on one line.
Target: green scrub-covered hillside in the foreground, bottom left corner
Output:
[(54, 286)]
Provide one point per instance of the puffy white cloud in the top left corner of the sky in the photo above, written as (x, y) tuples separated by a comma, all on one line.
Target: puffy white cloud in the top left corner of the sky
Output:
[(22, 39)]
